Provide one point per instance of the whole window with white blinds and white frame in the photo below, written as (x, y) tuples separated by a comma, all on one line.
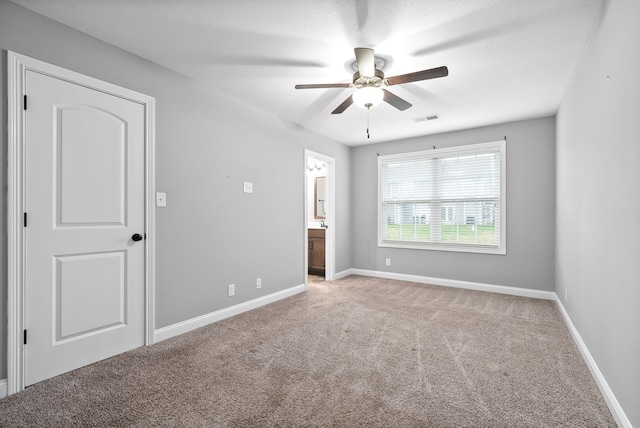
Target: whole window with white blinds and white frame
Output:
[(449, 199)]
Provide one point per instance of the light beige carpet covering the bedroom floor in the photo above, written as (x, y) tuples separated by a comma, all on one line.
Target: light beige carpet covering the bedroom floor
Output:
[(349, 353)]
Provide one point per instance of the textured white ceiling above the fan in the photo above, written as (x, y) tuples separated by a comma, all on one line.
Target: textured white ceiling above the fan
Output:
[(507, 59)]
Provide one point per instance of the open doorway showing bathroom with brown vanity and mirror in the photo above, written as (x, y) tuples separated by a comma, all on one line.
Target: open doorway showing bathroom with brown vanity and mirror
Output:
[(319, 217)]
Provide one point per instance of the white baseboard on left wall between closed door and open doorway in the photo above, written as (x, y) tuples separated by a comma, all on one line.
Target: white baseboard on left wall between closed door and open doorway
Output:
[(203, 320)]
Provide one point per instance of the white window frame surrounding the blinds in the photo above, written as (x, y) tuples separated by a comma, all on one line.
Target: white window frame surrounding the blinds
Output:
[(500, 249)]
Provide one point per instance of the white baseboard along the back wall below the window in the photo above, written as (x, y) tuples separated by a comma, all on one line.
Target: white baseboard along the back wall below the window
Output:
[(514, 291)]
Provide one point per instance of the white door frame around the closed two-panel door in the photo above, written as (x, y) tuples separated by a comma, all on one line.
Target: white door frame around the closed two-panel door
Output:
[(18, 65)]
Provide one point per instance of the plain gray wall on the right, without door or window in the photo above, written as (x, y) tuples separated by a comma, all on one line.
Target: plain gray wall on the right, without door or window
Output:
[(598, 200)]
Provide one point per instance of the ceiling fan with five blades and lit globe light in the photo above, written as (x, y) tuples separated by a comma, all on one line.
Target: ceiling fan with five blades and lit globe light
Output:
[(370, 82)]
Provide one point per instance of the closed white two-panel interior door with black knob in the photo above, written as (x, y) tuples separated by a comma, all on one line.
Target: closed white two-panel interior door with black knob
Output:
[(85, 200)]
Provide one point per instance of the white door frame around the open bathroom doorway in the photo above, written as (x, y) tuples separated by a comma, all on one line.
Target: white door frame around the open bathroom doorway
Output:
[(330, 236)]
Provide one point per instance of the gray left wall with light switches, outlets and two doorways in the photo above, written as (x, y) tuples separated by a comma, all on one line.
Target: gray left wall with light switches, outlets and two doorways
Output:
[(211, 234)]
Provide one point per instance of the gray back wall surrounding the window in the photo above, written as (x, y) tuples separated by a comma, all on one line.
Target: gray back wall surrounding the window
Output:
[(529, 262)]
